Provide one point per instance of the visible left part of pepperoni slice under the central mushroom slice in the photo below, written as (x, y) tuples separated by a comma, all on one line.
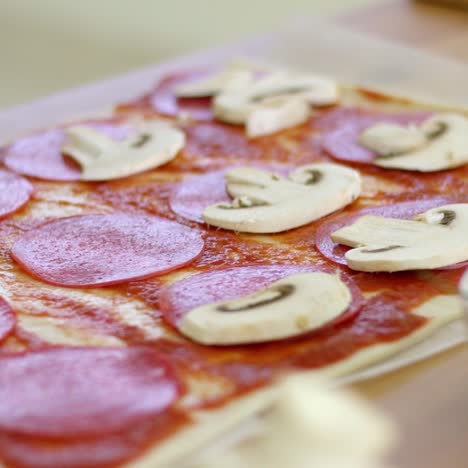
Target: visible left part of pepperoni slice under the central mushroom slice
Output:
[(192, 196)]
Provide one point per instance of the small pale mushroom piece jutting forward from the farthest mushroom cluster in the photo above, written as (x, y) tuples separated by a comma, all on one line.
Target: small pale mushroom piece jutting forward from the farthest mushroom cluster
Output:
[(275, 114)]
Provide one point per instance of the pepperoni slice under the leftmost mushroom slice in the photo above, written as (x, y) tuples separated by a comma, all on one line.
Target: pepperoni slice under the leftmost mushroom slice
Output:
[(40, 155)]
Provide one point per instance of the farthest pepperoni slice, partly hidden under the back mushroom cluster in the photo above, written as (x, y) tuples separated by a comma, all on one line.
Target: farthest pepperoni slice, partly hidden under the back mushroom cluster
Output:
[(164, 101)]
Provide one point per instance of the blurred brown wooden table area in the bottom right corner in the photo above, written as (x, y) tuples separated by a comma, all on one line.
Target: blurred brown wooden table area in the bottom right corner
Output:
[(429, 402)]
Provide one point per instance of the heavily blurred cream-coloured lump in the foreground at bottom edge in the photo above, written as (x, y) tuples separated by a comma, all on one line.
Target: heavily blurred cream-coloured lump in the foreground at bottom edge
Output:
[(310, 425)]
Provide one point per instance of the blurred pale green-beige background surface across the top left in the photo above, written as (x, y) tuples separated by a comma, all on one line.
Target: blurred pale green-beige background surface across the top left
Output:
[(50, 45)]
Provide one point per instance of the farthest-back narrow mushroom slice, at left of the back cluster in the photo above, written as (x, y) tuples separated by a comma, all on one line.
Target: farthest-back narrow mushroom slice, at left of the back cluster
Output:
[(237, 75)]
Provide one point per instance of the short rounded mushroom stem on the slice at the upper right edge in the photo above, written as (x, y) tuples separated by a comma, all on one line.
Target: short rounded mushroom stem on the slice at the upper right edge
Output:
[(387, 139)]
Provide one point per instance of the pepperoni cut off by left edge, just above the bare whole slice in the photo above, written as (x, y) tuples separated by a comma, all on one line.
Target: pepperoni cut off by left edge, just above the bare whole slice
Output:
[(15, 191)]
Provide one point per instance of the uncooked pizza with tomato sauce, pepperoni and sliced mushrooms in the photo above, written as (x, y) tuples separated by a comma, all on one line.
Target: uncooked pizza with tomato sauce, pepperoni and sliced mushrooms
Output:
[(164, 266)]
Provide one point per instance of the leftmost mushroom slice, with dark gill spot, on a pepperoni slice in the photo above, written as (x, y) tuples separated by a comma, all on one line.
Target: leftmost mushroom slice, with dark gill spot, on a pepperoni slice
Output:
[(103, 158)]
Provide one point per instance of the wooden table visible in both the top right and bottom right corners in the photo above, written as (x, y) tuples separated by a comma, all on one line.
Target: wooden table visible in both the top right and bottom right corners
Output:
[(429, 400)]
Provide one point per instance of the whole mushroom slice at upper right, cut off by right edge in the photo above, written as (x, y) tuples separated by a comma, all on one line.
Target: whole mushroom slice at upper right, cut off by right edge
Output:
[(441, 142)]
